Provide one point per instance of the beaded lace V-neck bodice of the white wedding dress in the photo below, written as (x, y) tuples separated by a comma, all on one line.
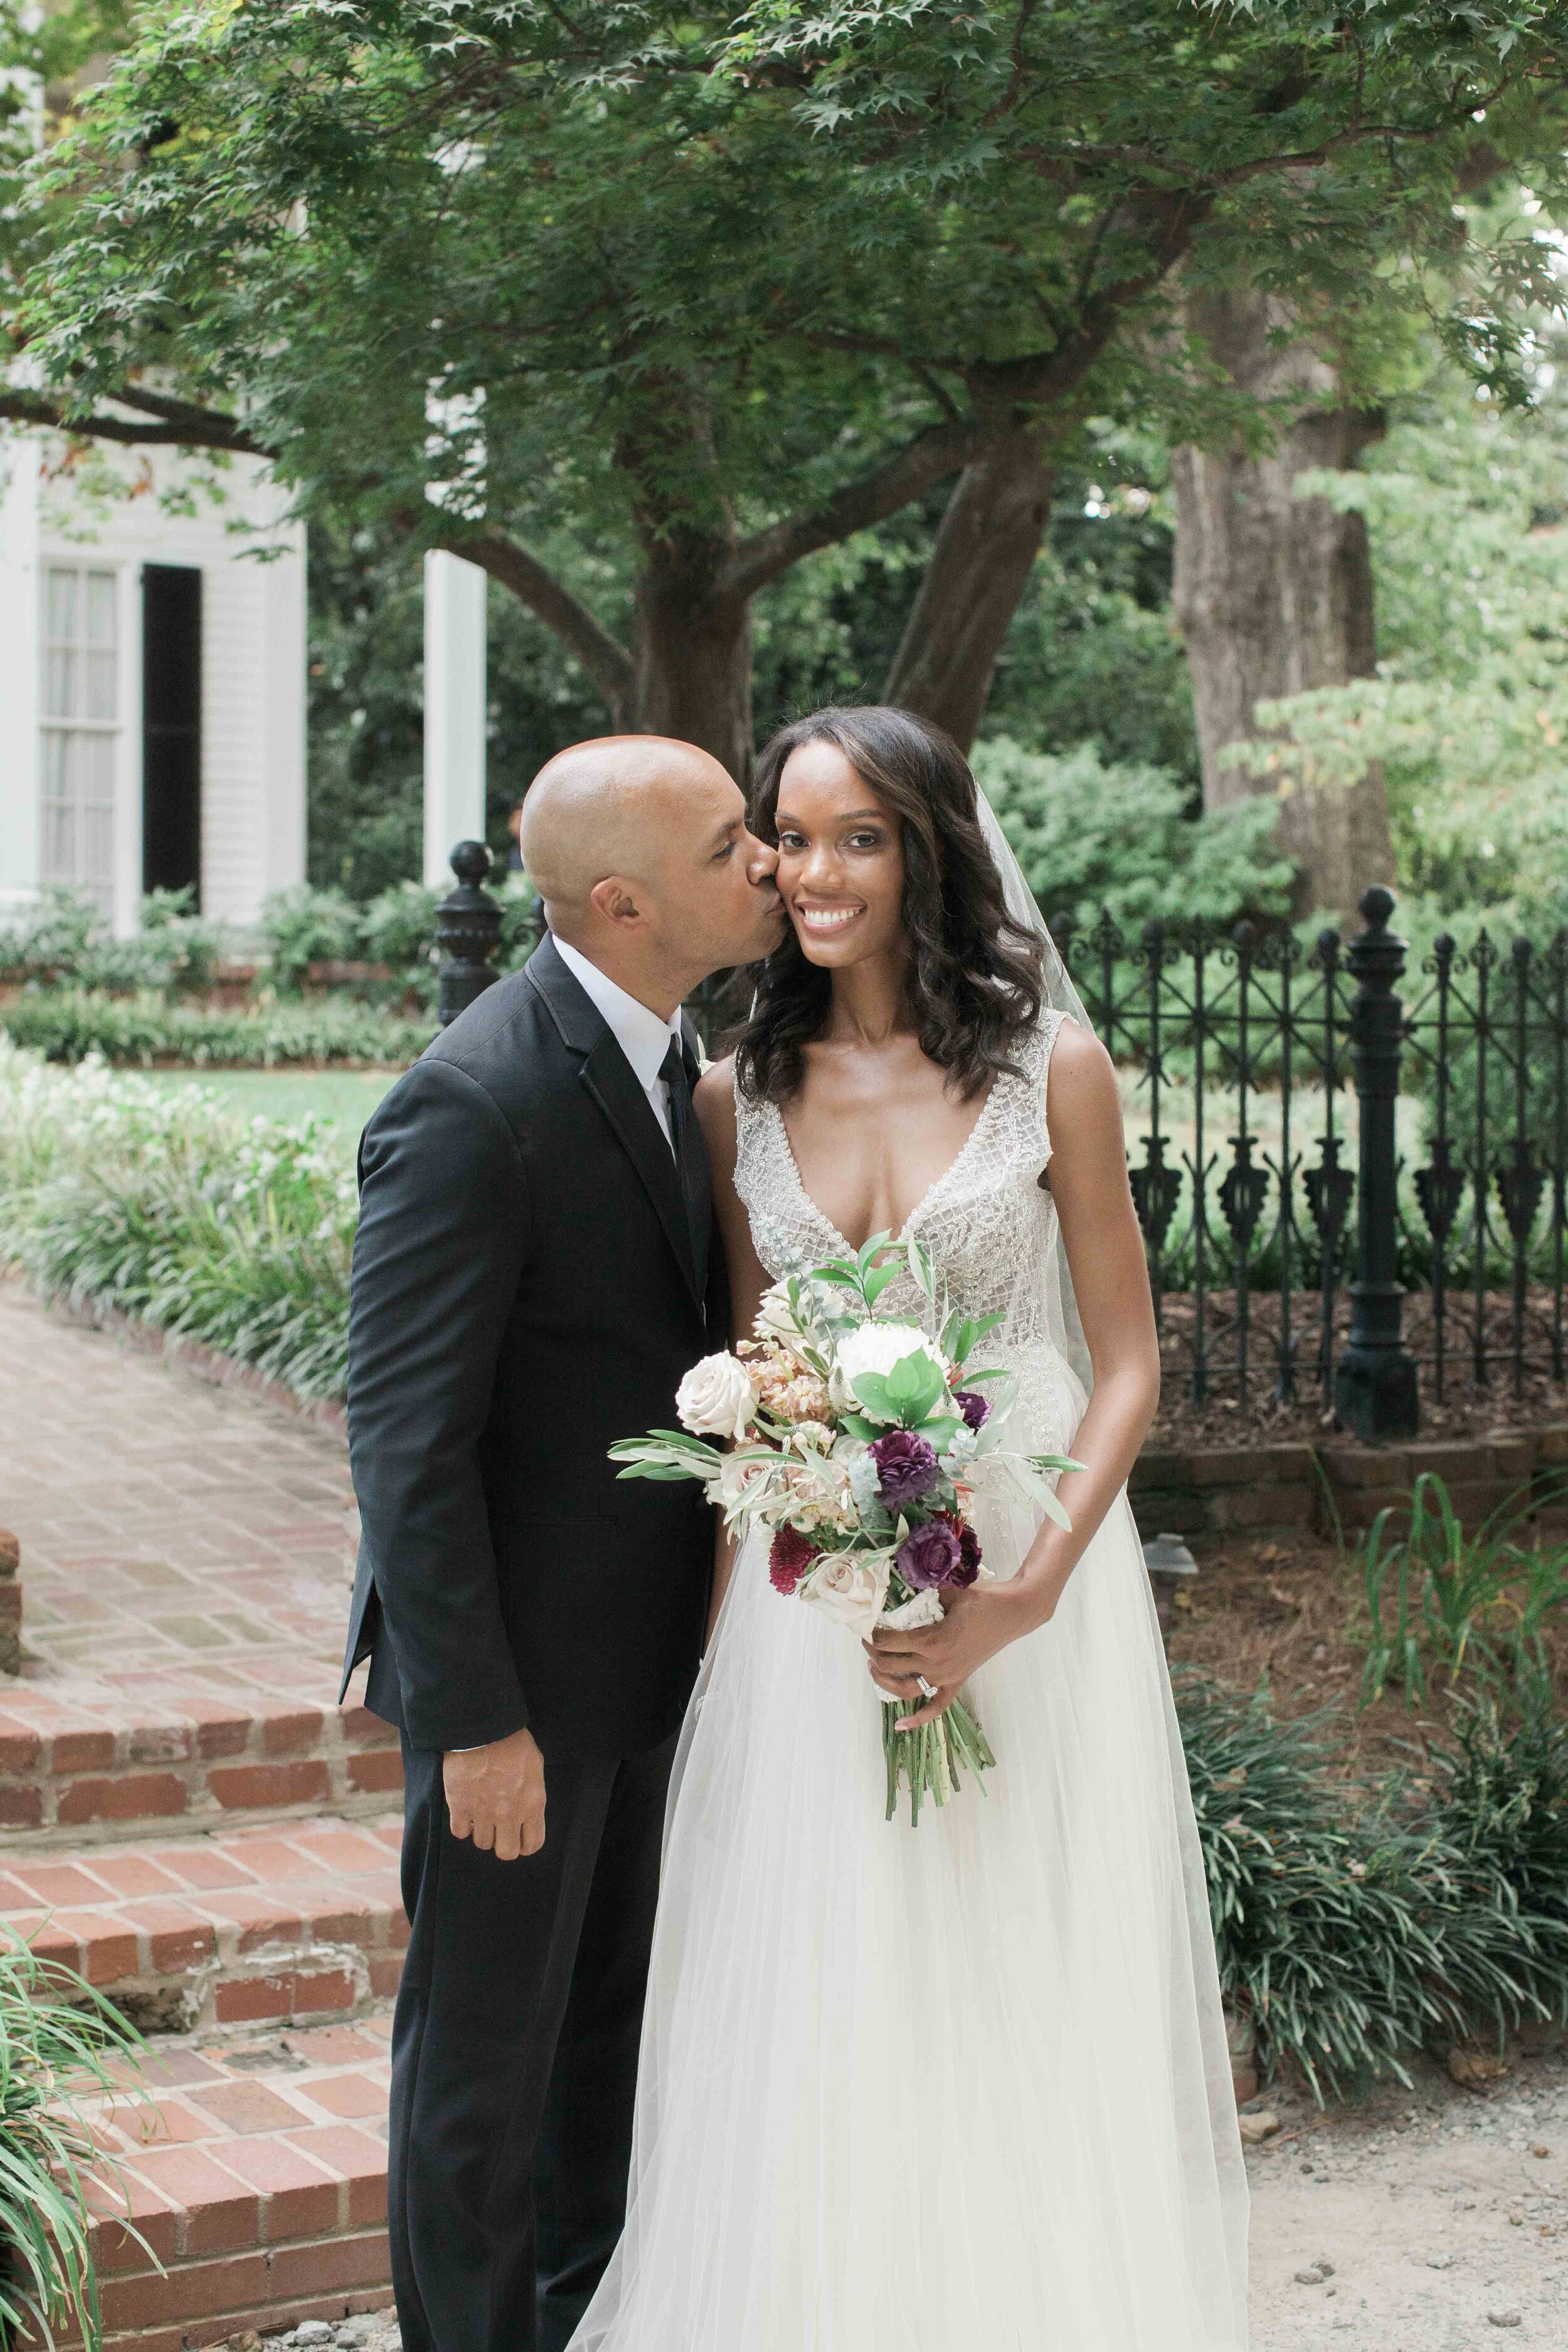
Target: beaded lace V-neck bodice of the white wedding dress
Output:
[(989, 1222)]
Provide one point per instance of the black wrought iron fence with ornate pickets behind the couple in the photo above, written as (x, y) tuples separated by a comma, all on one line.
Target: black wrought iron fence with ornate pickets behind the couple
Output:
[(1351, 1170)]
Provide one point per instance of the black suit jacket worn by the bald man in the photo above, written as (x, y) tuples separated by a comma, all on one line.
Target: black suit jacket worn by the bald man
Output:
[(523, 1295)]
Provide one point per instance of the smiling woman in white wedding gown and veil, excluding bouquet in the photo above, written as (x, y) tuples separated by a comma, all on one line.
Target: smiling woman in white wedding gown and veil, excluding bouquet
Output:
[(956, 2087)]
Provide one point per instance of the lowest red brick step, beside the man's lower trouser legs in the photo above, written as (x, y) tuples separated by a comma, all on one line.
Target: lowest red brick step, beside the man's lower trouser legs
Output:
[(257, 2177)]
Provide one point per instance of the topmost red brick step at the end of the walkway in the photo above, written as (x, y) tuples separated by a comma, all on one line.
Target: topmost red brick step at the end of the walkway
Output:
[(88, 1763)]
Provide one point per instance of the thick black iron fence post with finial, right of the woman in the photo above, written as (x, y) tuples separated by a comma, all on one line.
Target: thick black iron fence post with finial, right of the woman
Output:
[(1374, 1391)]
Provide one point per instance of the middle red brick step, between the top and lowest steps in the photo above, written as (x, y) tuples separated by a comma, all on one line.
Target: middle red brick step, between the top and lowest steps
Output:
[(281, 1925)]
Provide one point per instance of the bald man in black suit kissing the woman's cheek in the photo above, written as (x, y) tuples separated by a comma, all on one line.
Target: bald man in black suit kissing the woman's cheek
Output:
[(535, 1271)]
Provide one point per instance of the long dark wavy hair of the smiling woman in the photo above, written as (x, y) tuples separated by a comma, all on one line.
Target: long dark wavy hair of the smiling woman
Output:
[(974, 975)]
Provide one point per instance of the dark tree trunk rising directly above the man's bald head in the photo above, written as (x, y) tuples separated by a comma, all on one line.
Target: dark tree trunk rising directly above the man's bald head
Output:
[(695, 655)]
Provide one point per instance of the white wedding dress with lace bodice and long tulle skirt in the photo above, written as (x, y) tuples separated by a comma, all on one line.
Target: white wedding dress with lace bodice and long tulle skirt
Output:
[(956, 2087)]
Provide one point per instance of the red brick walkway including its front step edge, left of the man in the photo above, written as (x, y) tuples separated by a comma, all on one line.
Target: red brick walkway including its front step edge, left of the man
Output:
[(187, 1570)]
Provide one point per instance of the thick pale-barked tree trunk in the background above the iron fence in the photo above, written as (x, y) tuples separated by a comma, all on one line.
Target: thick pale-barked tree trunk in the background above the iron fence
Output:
[(1275, 594)]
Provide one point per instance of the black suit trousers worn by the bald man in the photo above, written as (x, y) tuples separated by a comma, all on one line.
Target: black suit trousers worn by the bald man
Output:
[(516, 2054)]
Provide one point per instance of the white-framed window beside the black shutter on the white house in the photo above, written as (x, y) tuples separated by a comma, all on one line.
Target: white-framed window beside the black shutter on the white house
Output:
[(81, 709)]
